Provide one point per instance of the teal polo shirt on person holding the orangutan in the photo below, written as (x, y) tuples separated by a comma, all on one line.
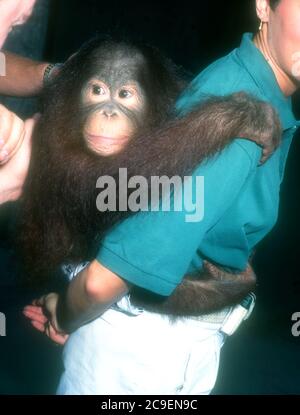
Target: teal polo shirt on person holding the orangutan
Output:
[(154, 250)]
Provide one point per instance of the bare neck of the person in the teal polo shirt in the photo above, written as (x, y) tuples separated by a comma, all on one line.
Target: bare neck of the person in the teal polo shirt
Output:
[(286, 84)]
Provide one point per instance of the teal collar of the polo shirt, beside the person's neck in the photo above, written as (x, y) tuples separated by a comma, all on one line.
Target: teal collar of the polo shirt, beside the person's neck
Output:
[(262, 74)]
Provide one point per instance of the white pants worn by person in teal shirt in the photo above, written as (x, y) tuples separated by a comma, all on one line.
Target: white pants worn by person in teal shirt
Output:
[(132, 351)]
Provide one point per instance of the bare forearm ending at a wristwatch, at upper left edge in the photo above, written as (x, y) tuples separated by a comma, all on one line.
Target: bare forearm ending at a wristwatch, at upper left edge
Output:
[(23, 76)]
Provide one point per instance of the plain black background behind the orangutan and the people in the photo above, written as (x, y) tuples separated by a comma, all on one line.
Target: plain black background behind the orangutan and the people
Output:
[(263, 357)]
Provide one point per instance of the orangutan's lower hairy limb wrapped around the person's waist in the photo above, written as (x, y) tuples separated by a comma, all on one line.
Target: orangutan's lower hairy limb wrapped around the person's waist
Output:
[(211, 291)]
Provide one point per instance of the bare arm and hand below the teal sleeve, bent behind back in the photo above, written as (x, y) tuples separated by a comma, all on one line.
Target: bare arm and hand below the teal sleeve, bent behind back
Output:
[(88, 295)]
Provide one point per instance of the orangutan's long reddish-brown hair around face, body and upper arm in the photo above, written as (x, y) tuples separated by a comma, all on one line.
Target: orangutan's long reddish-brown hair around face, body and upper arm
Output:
[(59, 220)]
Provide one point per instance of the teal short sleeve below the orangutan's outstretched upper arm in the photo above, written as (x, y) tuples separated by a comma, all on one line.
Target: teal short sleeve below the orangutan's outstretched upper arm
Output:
[(153, 250)]
